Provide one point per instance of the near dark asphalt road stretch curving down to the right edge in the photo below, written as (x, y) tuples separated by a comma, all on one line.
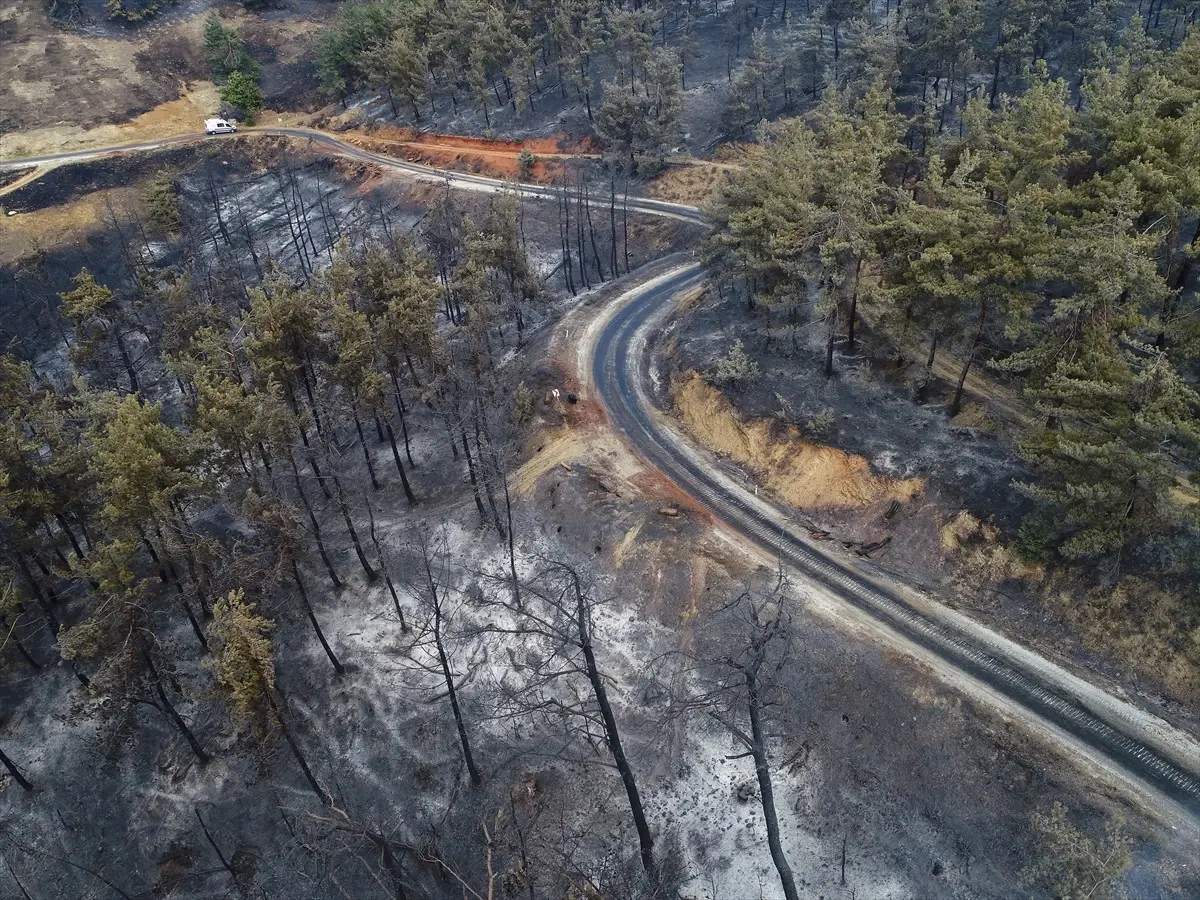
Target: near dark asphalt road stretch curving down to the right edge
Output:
[(620, 373)]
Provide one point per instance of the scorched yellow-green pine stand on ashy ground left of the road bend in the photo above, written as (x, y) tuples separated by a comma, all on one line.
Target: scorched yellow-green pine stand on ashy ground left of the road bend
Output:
[(205, 439)]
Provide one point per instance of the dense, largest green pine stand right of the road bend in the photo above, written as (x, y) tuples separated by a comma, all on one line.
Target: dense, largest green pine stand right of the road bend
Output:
[(1054, 238)]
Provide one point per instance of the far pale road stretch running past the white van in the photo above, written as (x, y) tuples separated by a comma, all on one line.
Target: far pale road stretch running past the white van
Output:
[(331, 143)]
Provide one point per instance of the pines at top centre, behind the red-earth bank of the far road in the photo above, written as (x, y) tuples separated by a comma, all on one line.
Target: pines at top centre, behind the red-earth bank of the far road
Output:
[(472, 53)]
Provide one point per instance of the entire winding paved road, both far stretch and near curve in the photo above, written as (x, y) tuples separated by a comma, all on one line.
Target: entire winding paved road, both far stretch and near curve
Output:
[(1137, 742)]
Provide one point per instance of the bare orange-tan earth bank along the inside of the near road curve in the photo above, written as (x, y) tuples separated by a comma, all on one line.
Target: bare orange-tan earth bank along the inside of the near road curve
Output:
[(801, 472)]
